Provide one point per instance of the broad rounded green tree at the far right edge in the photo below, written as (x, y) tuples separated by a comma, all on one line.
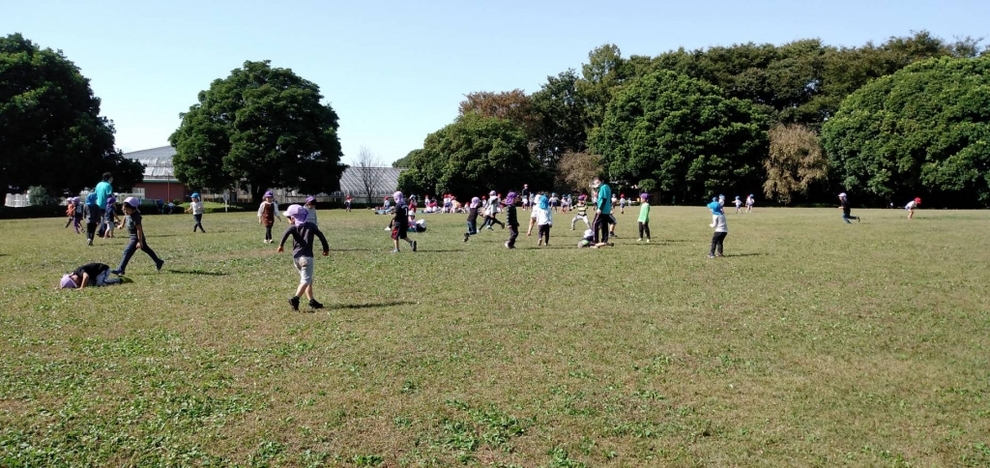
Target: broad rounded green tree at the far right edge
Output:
[(922, 130)]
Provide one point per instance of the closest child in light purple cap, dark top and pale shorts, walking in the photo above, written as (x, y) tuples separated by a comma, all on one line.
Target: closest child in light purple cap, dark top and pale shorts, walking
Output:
[(302, 233)]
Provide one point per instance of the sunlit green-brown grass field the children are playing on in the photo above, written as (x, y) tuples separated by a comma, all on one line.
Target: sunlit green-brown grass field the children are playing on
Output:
[(812, 343)]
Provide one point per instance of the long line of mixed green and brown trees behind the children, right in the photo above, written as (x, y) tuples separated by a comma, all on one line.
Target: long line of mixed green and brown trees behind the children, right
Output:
[(796, 123)]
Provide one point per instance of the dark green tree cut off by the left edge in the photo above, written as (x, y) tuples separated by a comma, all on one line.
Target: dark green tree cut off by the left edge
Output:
[(51, 131)]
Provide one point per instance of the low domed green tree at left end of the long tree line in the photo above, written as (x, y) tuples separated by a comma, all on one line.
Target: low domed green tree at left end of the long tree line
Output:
[(473, 155)]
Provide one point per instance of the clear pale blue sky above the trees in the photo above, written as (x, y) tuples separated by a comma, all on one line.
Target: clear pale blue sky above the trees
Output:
[(396, 71)]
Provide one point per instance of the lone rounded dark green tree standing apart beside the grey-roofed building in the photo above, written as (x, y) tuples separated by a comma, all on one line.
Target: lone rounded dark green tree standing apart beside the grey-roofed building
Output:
[(261, 127)]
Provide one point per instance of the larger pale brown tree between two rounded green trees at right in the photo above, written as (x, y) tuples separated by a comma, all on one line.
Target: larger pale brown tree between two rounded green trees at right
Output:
[(795, 162)]
